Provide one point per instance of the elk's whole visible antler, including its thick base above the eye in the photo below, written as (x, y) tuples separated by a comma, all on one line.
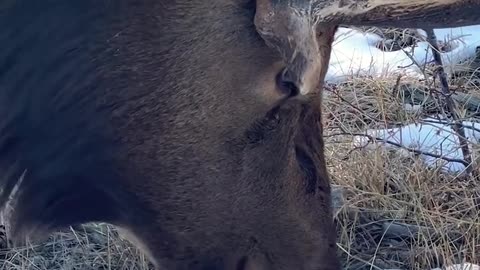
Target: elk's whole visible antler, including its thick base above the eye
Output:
[(303, 30)]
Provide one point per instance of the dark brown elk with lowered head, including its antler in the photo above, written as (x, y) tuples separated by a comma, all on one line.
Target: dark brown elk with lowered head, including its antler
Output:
[(192, 125)]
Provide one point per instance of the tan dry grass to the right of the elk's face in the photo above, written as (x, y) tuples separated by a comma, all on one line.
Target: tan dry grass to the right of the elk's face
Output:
[(386, 189)]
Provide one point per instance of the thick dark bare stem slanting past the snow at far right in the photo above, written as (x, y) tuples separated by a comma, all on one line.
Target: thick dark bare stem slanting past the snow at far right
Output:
[(450, 104)]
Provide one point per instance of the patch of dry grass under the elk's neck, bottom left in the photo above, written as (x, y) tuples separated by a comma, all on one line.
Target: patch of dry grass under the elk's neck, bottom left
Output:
[(91, 246)]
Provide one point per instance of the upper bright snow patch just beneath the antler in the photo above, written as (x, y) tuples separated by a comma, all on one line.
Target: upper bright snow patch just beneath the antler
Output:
[(355, 53)]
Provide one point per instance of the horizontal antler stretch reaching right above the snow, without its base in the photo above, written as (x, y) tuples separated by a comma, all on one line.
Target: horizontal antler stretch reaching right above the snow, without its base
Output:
[(399, 13)]
